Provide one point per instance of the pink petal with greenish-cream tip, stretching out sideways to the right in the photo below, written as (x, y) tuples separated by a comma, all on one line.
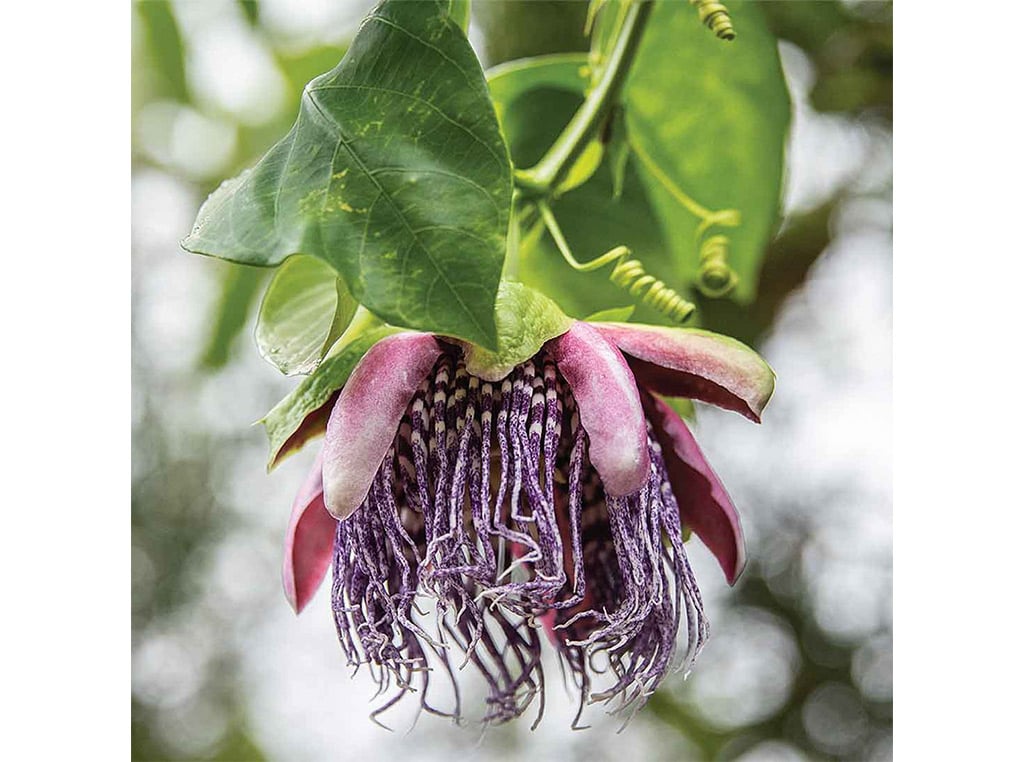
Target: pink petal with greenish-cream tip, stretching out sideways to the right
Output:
[(696, 364)]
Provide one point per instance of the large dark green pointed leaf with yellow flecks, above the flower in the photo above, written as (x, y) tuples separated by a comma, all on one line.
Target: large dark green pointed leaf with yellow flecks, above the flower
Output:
[(396, 174)]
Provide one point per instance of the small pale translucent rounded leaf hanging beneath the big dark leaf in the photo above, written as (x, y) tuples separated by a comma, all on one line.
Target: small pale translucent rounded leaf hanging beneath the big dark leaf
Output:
[(302, 311)]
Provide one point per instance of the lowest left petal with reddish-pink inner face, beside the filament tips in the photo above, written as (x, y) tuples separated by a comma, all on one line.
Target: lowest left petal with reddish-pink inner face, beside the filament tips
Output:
[(310, 543)]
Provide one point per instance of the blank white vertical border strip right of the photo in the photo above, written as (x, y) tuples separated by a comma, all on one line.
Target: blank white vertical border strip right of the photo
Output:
[(959, 301)]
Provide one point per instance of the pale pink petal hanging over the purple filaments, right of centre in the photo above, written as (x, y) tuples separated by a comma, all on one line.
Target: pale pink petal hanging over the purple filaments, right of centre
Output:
[(610, 407)]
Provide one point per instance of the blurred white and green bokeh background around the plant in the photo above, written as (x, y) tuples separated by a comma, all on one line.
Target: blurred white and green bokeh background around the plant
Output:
[(800, 661)]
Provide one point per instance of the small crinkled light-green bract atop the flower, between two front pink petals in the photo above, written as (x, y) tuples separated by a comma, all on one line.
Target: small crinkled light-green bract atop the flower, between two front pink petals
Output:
[(527, 319)]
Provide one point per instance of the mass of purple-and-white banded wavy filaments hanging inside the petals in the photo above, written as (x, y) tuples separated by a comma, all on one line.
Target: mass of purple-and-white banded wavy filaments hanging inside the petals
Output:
[(488, 504)]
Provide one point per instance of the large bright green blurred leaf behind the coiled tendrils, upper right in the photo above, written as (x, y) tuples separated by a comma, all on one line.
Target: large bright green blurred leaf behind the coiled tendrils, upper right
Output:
[(710, 119)]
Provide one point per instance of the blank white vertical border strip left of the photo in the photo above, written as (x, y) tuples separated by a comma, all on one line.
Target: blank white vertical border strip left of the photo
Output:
[(66, 317)]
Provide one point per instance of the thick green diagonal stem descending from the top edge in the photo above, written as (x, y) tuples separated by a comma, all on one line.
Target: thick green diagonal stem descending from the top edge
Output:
[(589, 119)]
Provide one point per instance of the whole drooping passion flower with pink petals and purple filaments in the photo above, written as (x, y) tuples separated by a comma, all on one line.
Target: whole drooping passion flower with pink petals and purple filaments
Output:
[(539, 496)]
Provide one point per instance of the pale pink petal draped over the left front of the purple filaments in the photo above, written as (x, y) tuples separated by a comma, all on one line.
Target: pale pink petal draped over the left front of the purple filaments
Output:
[(366, 417)]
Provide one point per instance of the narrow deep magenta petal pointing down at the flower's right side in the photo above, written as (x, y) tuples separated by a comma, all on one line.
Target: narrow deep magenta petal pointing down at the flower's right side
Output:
[(704, 504)]
